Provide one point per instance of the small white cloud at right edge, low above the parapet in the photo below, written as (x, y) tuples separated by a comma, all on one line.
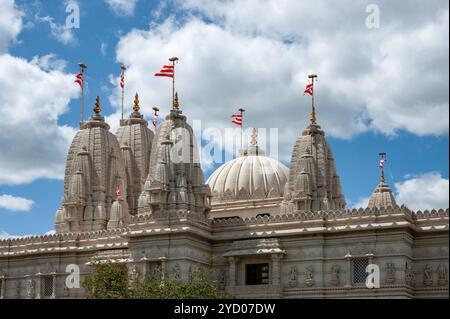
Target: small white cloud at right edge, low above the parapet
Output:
[(426, 191)]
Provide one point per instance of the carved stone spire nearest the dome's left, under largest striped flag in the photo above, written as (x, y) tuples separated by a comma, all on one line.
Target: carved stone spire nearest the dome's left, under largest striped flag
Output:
[(175, 180)]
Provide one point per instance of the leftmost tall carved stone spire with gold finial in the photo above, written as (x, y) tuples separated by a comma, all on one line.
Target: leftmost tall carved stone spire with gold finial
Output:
[(94, 170)]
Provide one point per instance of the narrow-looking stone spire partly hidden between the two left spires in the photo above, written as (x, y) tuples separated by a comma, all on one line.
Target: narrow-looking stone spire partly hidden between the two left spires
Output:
[(135, 141)]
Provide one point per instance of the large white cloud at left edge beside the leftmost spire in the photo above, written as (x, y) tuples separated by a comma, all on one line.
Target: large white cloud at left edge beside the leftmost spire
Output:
[(32, 98)]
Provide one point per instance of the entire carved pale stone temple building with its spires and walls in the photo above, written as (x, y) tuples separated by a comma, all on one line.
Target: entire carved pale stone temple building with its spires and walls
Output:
[(309, 244)]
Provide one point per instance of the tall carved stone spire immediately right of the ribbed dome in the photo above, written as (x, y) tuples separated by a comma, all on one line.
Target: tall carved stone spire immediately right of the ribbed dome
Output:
[(313, 183)]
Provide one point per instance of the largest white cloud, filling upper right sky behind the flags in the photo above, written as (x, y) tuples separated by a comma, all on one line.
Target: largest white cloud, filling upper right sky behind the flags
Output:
[(258, 54)]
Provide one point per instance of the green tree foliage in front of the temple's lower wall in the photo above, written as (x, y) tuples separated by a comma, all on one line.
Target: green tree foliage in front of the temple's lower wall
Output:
[(111, 281)]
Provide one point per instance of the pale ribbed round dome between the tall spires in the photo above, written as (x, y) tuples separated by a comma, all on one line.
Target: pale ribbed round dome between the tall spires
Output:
[(249, 177)]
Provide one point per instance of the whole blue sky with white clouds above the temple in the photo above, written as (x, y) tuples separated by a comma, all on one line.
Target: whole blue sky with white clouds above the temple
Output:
[(373, 92)]
